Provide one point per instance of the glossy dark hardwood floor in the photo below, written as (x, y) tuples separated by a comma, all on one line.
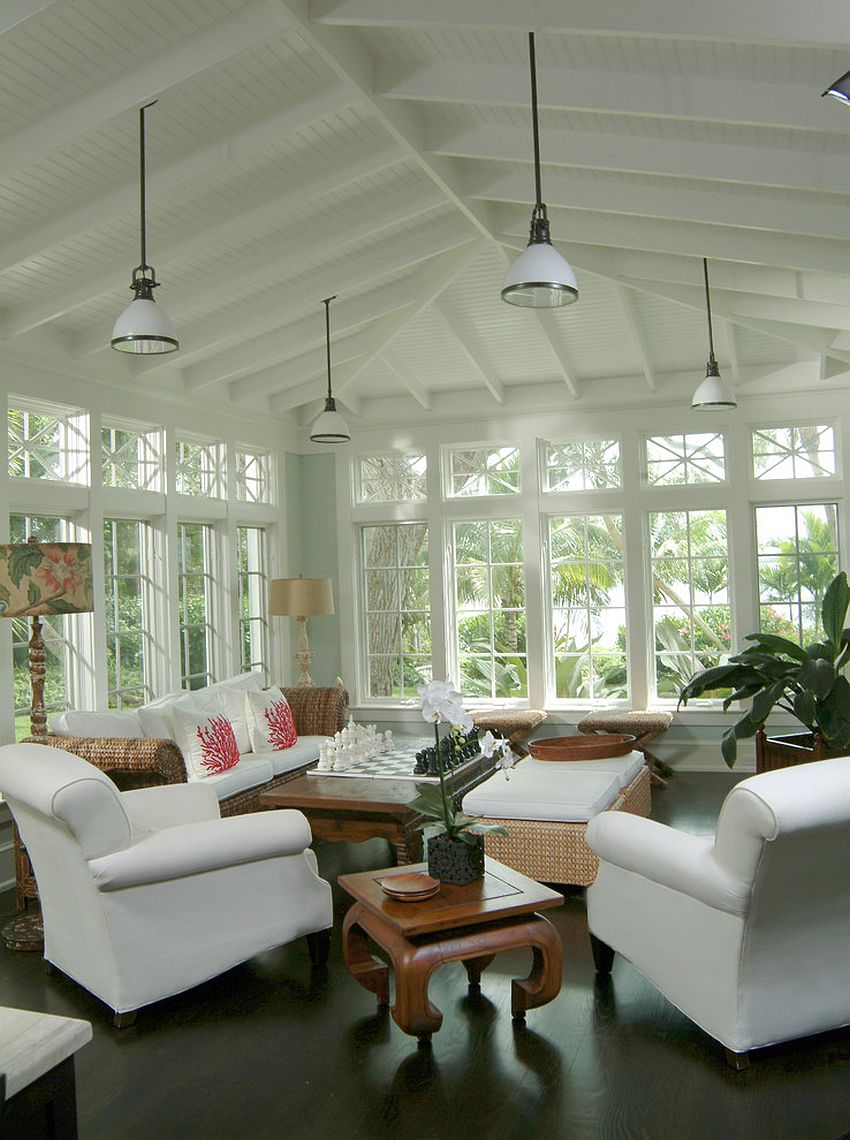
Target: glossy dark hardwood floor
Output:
[(271, 1049)]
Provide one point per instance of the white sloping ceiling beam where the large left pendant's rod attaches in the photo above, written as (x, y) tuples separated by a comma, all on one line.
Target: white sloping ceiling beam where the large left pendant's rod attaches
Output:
[(166, 70)]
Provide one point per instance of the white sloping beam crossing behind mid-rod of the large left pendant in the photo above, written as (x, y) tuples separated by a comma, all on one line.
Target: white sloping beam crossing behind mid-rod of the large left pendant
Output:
[(211, 157)]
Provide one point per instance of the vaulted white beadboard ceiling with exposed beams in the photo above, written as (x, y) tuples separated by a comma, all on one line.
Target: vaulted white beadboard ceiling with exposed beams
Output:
[(381, 151)]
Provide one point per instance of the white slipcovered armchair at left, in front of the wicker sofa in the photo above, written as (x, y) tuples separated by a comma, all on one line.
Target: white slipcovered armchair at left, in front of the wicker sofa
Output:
[(148, 893)]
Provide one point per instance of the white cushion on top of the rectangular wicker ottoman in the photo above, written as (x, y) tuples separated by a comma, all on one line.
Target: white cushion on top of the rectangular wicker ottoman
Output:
[(540, 794)]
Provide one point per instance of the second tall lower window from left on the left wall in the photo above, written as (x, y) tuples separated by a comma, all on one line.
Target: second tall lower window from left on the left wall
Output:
[(128, 592)]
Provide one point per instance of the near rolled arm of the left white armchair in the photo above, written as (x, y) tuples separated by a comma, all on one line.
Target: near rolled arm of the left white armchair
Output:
[(194, 849)]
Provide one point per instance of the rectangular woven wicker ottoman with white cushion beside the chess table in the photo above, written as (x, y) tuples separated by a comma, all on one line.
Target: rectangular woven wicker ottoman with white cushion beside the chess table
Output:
[(554, 850)]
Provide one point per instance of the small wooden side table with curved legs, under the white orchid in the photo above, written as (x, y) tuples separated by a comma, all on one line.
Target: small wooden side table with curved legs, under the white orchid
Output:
[(469, 925)]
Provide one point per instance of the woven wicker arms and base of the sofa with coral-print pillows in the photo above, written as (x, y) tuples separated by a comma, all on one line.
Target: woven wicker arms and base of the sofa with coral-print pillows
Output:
[(145, 763)]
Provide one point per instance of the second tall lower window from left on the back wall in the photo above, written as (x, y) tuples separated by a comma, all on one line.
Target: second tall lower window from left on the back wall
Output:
[(489, 579)]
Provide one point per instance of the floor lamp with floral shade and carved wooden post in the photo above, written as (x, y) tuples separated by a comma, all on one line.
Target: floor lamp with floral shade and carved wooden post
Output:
[(39, 579)]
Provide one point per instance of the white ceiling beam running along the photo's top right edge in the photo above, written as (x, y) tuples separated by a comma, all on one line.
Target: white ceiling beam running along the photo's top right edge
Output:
[(821, 23)]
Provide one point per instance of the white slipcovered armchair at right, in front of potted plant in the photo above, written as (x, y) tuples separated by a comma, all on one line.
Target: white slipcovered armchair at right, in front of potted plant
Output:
[(747, 932)]
